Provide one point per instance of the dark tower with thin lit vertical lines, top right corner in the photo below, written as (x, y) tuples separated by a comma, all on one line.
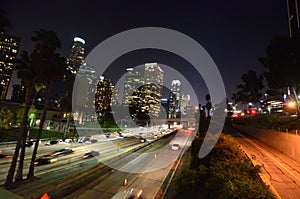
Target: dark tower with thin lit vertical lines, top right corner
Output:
[(293, 16)]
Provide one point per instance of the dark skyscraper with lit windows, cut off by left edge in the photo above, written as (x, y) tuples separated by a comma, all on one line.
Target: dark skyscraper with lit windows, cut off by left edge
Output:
[(8, 52)]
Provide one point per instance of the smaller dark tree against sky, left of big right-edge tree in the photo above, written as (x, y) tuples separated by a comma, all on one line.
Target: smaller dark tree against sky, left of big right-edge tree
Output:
[(251, 88)]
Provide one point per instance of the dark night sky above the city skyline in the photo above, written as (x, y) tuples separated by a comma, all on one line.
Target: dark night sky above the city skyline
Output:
[(235, 33)]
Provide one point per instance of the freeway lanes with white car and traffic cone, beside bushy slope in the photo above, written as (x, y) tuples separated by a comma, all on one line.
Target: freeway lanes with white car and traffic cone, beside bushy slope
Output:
[(148, 170)]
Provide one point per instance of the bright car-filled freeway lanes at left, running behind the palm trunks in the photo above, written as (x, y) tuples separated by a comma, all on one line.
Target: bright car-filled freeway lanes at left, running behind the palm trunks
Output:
[(70, 160)]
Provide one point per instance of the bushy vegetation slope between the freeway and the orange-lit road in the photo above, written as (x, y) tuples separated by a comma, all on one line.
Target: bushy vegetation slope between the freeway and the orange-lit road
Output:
[(225, 172)]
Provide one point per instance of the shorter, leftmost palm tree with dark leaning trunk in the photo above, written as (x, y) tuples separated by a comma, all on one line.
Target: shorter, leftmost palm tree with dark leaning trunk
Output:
[(27, 72)]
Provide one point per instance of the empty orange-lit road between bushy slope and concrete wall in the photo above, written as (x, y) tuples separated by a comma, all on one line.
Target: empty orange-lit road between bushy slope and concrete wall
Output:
[(278, 170)]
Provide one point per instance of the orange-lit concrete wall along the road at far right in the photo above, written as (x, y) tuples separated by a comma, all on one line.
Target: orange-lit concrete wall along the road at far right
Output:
[(286, 143)]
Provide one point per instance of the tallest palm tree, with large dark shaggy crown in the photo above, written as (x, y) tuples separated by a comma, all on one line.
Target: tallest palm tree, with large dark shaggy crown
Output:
[(51, 67)]
